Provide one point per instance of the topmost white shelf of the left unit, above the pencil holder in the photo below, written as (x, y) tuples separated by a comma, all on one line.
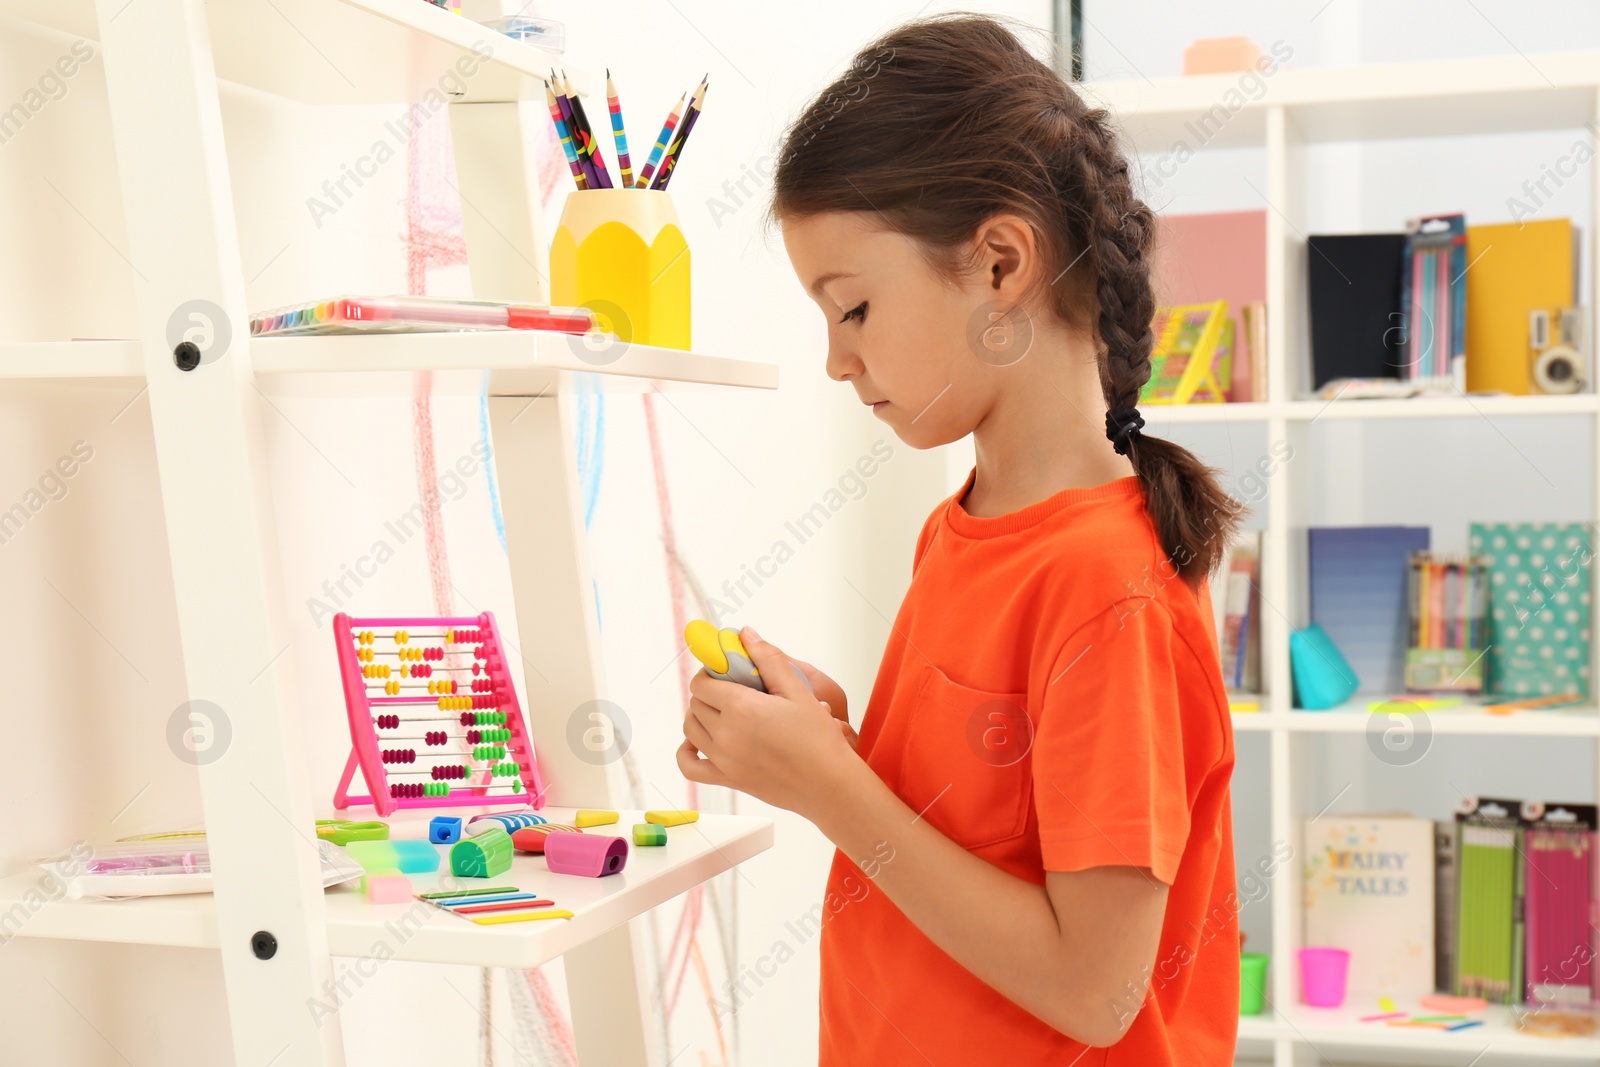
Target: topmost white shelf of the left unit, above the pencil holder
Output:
[(343, 52)]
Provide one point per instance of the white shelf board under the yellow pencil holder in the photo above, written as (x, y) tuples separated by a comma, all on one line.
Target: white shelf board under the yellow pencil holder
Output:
[(519, 359)]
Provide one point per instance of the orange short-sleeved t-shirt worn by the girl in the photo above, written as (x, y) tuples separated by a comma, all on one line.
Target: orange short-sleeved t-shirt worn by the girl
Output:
[(1050, 700)]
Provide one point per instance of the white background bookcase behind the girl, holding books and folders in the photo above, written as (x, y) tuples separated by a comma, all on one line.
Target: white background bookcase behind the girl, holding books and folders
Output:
[(1298, 110)]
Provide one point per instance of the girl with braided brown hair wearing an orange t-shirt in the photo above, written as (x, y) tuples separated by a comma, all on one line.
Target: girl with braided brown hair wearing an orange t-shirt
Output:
[(1034, 836)]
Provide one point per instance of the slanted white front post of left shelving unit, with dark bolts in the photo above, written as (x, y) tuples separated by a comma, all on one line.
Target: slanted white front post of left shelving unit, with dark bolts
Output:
[(183, 249)]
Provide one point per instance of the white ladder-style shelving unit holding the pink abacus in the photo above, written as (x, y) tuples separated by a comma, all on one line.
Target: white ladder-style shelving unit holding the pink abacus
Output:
[(164, 60)]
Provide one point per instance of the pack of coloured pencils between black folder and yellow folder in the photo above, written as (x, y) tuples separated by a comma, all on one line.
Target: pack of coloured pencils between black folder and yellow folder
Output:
[(1434, 300)]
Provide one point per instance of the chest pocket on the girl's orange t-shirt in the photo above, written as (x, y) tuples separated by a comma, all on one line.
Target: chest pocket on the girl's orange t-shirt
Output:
[(966, 764)]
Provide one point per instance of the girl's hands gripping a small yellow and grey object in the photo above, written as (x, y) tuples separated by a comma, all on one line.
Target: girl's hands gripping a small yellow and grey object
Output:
[(782, 746)]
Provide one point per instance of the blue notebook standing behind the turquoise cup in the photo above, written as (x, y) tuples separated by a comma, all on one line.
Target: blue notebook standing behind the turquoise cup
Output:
[(1358, 594)]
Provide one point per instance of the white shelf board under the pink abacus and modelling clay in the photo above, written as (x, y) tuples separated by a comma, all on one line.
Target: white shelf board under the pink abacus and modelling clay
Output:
[(654, 876)]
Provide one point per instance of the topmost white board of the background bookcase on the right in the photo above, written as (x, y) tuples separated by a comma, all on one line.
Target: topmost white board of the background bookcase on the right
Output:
[(1407, 100)]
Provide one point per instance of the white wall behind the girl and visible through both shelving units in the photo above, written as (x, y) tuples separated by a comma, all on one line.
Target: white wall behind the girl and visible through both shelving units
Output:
[(92, 629)]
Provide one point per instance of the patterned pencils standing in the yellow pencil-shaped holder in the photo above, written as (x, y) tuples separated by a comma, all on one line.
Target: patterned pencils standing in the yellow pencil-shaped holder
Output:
[(583, 150)]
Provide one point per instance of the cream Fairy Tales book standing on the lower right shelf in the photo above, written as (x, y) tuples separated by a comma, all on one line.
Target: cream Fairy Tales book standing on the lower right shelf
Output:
[(1370, 889)]
